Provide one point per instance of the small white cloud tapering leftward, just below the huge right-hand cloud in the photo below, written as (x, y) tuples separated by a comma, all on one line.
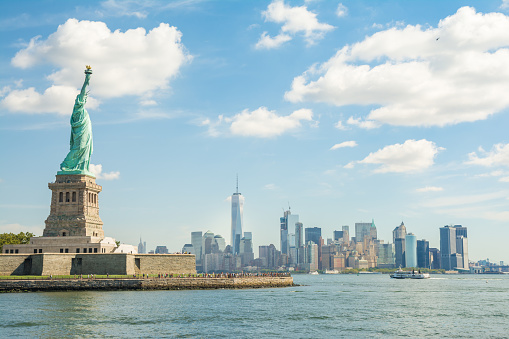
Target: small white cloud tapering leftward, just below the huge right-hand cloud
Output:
[(411, 156)]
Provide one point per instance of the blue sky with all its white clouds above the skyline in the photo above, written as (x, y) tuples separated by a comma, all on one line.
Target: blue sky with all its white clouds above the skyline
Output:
[(346, 111)]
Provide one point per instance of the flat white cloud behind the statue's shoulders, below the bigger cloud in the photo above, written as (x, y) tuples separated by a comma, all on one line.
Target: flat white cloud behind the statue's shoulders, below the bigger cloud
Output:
[(55, 99)]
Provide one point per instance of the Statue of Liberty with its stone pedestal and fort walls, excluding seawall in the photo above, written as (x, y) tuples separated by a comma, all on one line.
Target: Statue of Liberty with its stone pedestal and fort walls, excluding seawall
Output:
[(73, 240)]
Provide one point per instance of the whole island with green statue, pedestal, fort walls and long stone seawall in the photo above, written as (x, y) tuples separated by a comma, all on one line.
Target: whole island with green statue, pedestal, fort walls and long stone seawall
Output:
[(73, 241)]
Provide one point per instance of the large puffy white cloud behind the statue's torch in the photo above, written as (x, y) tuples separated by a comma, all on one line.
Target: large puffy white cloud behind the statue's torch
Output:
[(134, 62)]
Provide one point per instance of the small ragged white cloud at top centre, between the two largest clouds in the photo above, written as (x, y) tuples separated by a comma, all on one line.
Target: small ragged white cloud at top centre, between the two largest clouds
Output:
[(294, 20)]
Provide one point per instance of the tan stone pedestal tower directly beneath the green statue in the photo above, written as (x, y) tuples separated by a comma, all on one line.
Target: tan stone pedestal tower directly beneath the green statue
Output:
[(74, 207)]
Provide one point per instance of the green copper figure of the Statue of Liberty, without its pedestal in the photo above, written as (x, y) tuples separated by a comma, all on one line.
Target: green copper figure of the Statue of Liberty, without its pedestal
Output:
[(77, 160)]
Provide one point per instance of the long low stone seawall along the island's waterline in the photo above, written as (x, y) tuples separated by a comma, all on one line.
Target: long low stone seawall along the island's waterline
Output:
[(192, 283)]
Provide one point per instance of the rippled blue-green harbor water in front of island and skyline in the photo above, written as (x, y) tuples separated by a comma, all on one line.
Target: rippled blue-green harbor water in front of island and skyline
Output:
[(323, 306)]
